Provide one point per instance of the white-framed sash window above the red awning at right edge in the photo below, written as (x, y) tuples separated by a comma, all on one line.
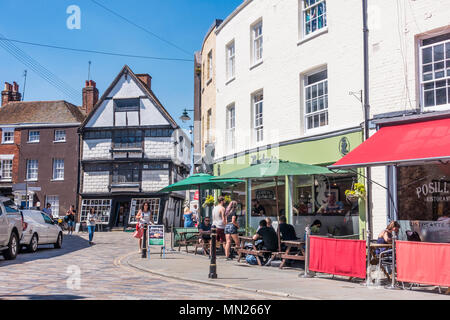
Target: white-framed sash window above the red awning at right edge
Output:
[(435, 70)]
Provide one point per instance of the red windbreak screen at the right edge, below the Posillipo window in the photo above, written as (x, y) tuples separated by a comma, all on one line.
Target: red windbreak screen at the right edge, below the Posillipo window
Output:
[(423, 262)]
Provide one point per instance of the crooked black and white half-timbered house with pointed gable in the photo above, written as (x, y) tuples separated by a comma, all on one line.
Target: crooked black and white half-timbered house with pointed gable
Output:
[(130, 149)]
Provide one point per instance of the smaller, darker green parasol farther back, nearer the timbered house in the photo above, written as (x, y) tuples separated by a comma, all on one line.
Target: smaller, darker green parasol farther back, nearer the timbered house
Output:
[(200, 181)]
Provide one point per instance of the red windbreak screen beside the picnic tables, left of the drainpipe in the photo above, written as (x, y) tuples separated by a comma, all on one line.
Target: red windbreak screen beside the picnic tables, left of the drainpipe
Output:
[(339, 257)]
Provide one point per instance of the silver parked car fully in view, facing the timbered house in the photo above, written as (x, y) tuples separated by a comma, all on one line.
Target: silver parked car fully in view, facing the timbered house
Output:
[(40, 229)]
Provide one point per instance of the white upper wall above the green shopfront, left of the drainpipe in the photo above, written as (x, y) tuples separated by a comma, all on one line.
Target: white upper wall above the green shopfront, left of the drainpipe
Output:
[(285, 58)]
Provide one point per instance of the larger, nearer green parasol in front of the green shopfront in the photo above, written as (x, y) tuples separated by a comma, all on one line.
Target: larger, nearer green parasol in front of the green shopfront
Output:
[(275, 169)]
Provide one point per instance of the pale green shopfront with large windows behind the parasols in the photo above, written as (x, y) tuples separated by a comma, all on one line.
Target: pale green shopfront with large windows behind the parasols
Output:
[(302, 199)]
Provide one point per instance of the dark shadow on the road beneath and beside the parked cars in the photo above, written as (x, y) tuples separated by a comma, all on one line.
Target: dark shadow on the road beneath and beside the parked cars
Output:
[(70, 244)]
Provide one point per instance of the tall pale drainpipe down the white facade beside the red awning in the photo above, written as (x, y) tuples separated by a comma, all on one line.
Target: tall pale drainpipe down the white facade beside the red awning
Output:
[(367, 116)]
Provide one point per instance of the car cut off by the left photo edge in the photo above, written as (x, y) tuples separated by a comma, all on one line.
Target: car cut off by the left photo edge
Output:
[(11, 226)]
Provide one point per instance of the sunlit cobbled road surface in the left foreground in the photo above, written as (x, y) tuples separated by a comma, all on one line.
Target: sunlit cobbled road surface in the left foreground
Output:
[(52, 274)]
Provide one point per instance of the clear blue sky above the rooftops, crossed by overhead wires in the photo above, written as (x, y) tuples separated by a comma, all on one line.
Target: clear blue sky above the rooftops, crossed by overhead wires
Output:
[(182, 22)]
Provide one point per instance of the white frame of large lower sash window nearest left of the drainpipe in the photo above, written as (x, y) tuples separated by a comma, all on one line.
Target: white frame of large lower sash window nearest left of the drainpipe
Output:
[(307, 86)]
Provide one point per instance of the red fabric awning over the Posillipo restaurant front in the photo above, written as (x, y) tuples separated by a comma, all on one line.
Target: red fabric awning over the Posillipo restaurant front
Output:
[(419, 141)]
